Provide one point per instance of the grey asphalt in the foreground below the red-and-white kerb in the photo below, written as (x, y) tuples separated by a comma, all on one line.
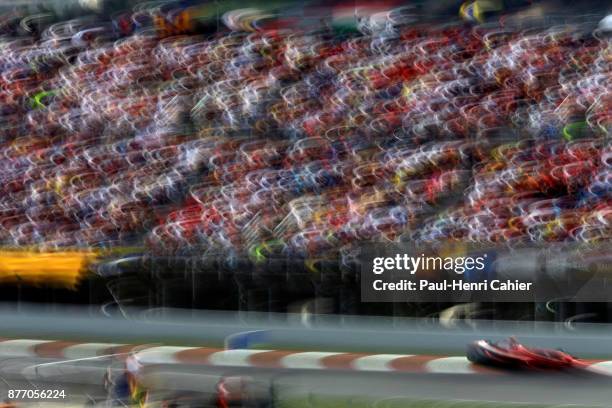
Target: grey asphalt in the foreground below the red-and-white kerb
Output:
[(82, 382)]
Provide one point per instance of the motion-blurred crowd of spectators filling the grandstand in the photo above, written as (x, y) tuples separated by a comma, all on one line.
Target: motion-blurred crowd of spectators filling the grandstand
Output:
[(265, 139)]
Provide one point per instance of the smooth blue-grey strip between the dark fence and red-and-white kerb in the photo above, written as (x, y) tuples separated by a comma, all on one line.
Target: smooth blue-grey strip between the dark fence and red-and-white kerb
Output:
[(337, 333)]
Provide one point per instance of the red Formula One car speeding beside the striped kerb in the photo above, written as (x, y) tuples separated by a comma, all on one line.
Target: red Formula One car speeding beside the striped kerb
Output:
[(512, 354)]
